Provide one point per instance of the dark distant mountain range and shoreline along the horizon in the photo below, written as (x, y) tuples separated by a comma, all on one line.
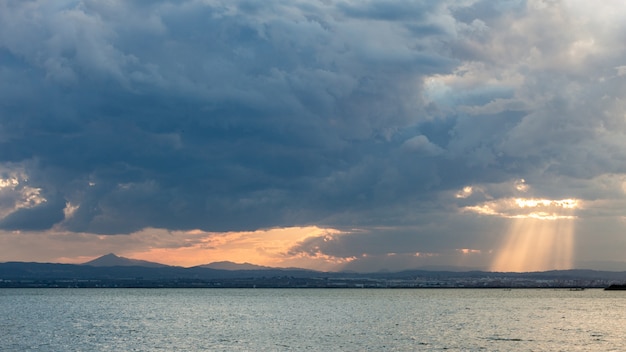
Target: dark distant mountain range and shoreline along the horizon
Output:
[(111, 271)]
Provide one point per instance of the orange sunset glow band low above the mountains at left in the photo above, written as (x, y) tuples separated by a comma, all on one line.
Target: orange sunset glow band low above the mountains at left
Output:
[(270, 247)]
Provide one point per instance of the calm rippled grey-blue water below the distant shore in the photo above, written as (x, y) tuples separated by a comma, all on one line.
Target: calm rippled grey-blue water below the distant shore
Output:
[(311, 320)]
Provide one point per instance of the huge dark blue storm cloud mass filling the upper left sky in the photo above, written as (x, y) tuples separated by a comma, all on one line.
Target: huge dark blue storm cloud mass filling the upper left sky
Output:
[(216, 115)]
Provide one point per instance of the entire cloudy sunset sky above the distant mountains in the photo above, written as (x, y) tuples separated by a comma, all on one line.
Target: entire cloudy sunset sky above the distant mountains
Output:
[(325, 134)]
